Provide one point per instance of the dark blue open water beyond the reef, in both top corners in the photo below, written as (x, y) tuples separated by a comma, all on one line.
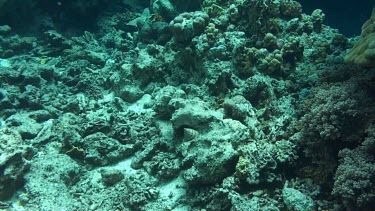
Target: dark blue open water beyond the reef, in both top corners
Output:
[(345, 15)]
